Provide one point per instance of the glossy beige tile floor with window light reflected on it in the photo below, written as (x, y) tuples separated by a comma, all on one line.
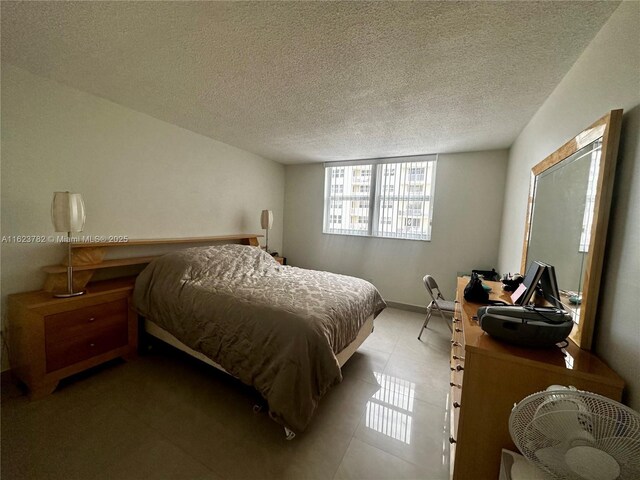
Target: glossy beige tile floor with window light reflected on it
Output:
[(165, 415)]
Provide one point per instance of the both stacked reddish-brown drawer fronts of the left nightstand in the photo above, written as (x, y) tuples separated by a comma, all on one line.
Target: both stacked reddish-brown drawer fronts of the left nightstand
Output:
[(71, 337)]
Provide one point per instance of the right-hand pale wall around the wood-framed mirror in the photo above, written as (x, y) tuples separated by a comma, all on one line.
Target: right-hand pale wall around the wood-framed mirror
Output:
[(605, 77)]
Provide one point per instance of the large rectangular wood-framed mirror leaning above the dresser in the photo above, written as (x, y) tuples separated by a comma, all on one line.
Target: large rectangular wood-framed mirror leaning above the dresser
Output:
[(568, 216)]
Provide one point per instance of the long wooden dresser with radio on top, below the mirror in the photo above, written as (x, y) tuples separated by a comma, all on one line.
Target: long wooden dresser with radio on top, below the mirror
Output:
[(488, 377)]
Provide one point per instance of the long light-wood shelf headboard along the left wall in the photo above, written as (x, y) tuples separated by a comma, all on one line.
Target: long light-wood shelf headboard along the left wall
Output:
[(87, 257)]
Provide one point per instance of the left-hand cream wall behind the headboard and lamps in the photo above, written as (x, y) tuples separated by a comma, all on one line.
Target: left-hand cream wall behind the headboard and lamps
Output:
[(139, 176)]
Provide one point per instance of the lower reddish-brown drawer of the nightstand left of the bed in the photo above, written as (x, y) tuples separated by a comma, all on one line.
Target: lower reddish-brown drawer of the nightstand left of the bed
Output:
[(70, 350)]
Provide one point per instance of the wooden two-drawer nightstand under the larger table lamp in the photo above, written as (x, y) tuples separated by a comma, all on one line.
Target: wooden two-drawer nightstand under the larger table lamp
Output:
[(52, 338)]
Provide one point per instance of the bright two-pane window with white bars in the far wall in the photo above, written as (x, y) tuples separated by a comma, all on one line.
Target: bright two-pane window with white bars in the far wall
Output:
[(382, 198)]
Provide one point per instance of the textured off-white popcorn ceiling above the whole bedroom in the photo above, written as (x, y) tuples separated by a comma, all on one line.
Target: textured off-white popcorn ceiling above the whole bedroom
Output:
[(314, 81)]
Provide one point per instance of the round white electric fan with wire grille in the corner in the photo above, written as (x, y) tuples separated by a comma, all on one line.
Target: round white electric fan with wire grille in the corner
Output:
[(570, 434)]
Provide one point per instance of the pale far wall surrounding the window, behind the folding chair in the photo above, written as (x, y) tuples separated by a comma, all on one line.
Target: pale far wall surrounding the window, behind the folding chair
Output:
[(466, 221)]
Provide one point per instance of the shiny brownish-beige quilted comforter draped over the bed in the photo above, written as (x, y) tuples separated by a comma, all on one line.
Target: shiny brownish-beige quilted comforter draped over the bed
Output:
[(276, 328)]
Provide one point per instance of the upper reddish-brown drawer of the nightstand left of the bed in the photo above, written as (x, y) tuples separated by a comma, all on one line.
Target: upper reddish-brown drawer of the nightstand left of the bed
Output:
[(83, 321)]
